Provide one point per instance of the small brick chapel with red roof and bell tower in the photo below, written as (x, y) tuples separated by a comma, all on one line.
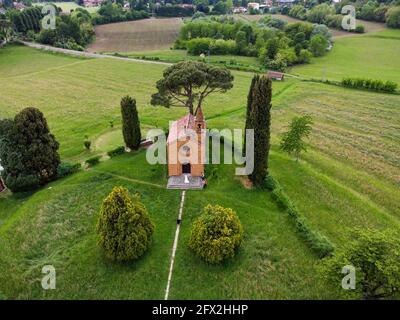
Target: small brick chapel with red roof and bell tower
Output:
[(186, 151)]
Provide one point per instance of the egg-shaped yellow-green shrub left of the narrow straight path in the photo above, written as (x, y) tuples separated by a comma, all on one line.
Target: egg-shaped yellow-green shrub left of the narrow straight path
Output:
[(124, 226)]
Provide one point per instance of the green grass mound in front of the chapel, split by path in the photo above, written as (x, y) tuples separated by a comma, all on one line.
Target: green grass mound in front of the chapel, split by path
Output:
[(273, 262)]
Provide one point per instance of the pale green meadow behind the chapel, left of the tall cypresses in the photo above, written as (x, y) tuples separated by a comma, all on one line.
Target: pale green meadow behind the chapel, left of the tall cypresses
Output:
[(78, 104)]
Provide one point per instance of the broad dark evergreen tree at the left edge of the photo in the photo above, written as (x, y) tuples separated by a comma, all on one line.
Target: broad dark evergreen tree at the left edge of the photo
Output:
[(28, 151)]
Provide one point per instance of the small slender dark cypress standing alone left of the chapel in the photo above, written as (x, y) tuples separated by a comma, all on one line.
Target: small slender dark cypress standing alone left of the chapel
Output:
[(130, 123)]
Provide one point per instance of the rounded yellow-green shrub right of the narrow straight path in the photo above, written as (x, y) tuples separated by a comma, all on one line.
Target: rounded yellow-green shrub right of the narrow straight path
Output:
[(216, 234)]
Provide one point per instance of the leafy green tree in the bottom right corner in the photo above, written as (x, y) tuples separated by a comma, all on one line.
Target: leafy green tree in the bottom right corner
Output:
[(376, 258)]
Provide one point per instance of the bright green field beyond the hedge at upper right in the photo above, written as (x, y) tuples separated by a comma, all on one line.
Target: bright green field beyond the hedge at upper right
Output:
[(375, 56)]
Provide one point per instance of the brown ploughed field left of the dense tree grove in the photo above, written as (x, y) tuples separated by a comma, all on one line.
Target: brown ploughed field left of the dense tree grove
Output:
[(141, 35)]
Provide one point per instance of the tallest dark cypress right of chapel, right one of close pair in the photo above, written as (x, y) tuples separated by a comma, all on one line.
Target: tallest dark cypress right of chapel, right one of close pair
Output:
[(261, 122)]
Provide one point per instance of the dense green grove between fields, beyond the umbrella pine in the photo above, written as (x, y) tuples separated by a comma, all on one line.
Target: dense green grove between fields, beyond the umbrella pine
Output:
[(276, 43)]
